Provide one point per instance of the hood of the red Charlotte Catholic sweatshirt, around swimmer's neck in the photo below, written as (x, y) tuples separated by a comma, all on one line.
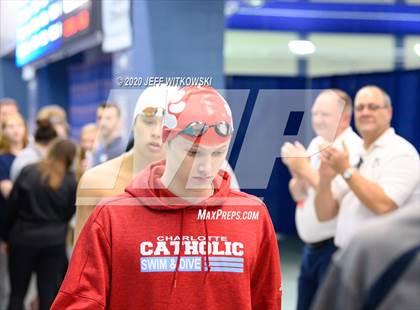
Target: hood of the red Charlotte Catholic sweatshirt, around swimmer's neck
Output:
[(148, 189)]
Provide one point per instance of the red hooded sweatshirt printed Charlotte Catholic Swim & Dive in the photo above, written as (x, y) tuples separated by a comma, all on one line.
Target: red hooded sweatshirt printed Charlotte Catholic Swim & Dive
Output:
[(148, 249)]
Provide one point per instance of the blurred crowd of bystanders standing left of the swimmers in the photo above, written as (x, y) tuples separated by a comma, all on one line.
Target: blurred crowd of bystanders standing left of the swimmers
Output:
[(38, 183)]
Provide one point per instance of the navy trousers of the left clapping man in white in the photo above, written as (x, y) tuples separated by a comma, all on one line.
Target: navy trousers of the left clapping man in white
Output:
[(315, 261)]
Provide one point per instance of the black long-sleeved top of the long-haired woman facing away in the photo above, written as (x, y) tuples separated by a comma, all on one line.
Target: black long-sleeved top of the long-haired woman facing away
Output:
[(38, 215)]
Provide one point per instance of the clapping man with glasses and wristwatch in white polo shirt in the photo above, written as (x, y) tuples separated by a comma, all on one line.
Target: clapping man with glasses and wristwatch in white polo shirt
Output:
[(387, 177)]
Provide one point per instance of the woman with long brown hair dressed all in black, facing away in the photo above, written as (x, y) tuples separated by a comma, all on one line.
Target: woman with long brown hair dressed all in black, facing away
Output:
[(40, 205)]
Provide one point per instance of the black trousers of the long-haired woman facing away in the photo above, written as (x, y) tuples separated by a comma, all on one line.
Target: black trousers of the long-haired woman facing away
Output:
[(47, 262)]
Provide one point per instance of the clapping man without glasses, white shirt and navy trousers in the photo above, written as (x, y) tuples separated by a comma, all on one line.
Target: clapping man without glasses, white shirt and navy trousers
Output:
[(331, 116)]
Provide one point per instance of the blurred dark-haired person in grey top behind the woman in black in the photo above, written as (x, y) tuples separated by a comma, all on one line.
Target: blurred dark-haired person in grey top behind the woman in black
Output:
[(45, 133)]
